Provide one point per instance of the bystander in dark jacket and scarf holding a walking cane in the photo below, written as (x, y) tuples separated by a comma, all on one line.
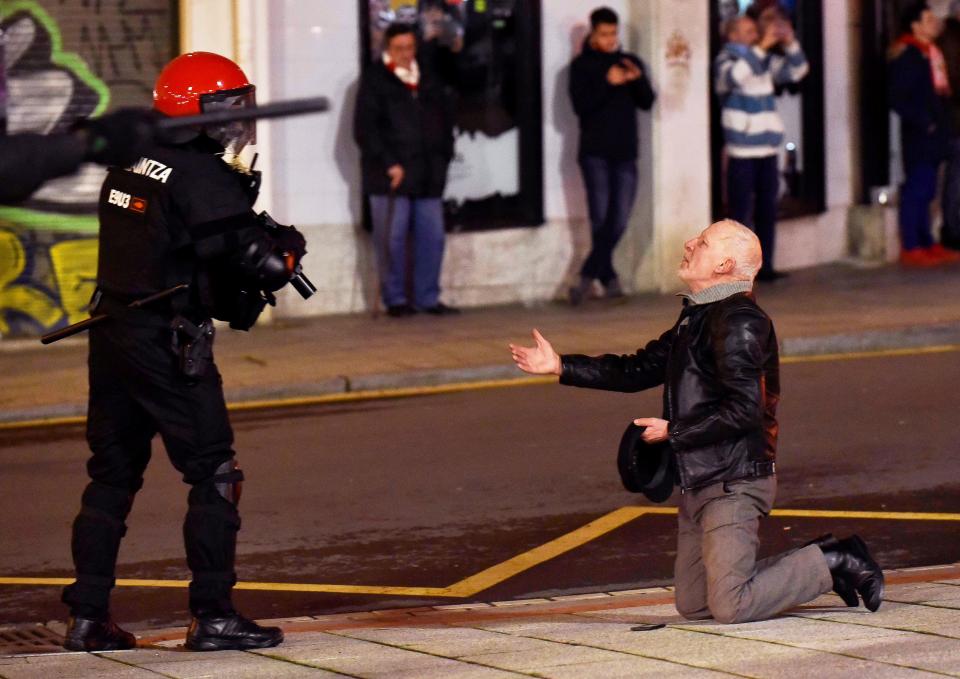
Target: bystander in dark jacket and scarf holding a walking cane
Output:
[(404, 127)]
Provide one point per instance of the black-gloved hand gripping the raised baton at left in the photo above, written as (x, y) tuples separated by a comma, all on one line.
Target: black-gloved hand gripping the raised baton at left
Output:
[(119, 138)]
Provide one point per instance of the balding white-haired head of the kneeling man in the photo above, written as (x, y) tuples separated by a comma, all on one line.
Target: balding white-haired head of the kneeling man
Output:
[(724, 252)]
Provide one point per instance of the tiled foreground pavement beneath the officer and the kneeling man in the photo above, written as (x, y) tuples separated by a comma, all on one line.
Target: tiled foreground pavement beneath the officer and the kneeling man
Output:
[(915, 634)]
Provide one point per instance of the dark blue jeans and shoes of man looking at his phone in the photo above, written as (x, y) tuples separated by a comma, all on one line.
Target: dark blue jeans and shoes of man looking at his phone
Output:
[(611, 189)]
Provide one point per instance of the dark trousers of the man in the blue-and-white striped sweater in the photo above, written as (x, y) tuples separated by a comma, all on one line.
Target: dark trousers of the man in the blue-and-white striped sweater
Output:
[(753, 186)]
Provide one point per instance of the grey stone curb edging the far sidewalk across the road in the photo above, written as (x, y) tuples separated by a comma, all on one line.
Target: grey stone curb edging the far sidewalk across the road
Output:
[(943, 336)]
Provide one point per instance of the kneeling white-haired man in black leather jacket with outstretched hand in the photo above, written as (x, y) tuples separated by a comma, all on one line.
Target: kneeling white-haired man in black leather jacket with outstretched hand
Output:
[(720, 370)]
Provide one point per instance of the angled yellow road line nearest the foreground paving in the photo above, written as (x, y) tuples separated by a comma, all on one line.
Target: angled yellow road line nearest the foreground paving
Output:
[(510, 568)]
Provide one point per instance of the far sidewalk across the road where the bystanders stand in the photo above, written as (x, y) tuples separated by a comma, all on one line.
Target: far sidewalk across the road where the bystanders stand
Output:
[(823, 310)]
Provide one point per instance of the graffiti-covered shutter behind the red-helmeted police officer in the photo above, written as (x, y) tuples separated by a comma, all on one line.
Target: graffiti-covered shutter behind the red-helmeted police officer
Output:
[(66, 60)]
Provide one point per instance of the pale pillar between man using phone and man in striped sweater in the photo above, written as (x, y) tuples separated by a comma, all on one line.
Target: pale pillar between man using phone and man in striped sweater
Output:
[(673, 38)]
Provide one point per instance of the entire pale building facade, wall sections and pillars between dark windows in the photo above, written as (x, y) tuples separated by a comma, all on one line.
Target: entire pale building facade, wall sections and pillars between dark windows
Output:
[(295, 48)]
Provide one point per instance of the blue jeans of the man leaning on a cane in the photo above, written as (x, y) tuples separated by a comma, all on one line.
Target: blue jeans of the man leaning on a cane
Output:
[(392, 226)]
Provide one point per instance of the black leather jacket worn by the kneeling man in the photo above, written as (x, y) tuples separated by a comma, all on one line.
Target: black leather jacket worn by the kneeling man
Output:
[(719, 365)]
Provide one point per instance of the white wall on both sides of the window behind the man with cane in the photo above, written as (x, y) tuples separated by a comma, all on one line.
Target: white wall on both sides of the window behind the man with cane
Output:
[(314, 167)]
